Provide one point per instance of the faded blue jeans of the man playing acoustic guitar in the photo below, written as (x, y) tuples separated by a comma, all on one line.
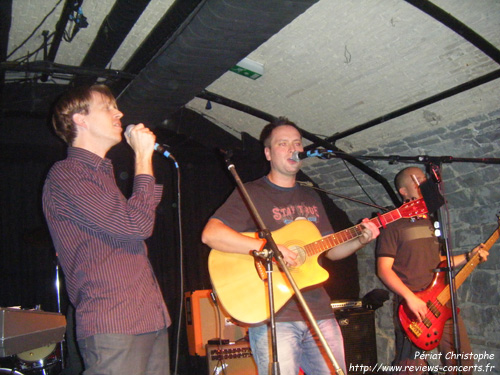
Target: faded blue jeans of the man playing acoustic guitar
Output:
[(298, 347)]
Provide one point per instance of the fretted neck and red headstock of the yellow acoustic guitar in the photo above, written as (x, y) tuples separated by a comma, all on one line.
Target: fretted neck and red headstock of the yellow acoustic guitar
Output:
[(335, 239)]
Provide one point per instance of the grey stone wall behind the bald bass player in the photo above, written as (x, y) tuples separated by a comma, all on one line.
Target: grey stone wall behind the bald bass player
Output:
[(472, 191)]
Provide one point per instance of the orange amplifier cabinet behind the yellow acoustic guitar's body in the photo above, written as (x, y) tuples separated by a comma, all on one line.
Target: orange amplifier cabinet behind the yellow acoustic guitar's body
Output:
[(206, 321)]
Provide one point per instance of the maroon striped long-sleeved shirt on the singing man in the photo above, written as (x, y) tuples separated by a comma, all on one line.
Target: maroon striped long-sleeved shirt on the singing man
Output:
[(99, 238)]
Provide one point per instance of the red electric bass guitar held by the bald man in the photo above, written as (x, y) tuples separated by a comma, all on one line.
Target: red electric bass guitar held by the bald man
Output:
[(427, 334)]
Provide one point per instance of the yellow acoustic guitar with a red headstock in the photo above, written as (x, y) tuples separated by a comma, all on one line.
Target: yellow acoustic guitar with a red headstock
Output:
[(241, 286)]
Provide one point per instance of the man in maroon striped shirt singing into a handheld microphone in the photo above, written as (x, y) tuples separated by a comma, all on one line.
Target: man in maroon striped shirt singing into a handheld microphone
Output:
[(121, 318)]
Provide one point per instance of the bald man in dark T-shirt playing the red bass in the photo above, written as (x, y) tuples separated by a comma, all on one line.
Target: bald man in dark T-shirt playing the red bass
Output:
[(407, 253)]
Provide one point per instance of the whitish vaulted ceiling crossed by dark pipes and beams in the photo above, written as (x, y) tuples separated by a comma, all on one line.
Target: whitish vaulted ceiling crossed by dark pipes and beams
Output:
[(336, 66)]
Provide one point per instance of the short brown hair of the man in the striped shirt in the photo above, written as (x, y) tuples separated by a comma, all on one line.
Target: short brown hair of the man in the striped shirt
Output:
[(76, 100)]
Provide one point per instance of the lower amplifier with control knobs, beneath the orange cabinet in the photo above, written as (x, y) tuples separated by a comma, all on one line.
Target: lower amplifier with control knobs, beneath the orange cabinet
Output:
[(235, 359)]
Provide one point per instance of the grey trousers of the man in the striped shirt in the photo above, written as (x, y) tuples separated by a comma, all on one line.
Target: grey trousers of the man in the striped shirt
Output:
[(118, 354)]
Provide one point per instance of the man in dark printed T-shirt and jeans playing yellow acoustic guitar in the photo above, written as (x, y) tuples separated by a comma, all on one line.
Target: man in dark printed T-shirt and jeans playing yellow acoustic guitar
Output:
[(280, 201)]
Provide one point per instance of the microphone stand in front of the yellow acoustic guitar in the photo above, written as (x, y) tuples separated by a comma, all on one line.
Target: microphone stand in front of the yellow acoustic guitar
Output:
[(268, 257)]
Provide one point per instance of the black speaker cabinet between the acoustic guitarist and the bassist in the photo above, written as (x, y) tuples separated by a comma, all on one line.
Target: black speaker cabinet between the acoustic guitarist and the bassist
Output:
[(358, 330)]
